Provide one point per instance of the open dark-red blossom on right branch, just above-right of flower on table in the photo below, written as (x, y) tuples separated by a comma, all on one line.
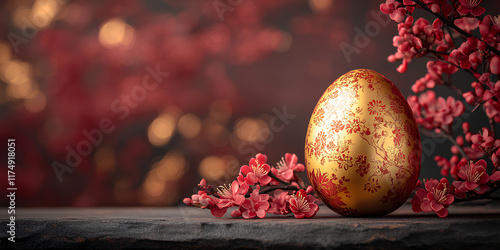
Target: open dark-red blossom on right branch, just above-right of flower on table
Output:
[(473, 177)]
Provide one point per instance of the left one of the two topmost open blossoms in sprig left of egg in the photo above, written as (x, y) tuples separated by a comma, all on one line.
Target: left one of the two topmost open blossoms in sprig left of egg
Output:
[(256, 171)]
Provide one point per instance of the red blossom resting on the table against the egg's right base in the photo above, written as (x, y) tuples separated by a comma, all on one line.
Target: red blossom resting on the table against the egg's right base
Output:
[(435, 197)]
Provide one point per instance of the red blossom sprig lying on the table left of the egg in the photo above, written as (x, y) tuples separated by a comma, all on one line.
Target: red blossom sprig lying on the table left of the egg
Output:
[(260, 189)]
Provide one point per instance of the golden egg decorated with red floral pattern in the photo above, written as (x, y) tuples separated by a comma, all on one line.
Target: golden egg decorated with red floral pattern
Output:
[(362, 146)]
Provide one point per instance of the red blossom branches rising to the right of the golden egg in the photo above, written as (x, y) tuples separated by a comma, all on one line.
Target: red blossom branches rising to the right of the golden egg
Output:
[(460, 38)]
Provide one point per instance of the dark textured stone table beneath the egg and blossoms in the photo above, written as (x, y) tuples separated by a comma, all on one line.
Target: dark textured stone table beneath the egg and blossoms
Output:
[(475, 226)]
